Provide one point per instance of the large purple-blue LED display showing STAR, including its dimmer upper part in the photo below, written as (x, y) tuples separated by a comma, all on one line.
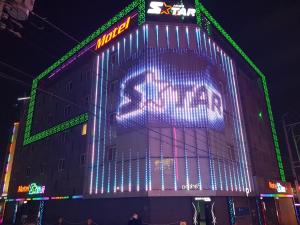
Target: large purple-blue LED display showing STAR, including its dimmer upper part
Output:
[(169, 95)]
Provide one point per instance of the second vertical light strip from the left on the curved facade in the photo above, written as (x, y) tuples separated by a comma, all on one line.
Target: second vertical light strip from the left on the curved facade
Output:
[(100, 121)]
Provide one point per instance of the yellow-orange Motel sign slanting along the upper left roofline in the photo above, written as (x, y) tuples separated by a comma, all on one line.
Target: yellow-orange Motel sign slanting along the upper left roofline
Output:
[(115, 32)]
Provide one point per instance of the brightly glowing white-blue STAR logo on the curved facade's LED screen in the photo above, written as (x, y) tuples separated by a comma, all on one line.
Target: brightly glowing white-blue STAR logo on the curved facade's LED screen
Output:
[(177, 101)]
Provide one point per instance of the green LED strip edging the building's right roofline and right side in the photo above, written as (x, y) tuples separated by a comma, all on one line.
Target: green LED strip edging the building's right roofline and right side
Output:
[(201, 9)]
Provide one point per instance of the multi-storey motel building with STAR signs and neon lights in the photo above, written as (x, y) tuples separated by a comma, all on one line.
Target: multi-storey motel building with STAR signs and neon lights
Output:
[(159, 112)]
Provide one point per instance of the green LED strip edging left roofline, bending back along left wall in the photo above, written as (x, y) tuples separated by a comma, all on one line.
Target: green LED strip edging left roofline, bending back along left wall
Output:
[(28, 137)]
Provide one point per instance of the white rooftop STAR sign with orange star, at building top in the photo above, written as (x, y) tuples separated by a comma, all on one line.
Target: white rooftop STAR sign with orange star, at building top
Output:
[(160, 8)]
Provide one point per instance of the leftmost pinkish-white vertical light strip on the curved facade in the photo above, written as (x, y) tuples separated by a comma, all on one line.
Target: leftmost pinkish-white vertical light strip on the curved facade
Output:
[(94, 128)]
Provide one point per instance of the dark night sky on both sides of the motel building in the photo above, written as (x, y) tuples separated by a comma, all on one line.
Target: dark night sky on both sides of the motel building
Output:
[(268, 31)]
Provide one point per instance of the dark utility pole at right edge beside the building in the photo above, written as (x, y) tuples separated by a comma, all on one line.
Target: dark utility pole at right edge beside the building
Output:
[(291, 159)]
